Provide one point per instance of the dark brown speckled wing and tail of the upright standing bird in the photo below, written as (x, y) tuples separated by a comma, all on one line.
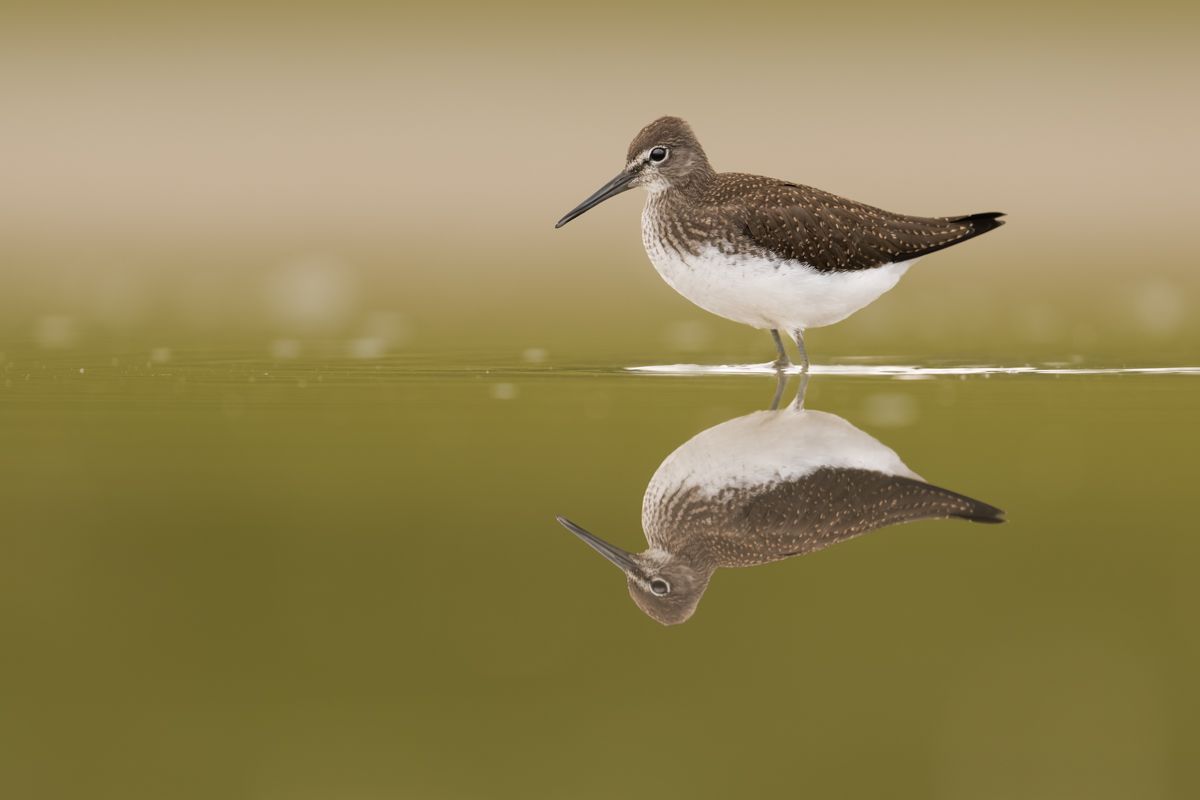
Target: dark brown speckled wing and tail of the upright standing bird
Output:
[(831, 233)]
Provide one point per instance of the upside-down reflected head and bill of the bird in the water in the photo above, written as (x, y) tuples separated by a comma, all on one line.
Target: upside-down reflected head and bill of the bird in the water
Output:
[(663, 586)]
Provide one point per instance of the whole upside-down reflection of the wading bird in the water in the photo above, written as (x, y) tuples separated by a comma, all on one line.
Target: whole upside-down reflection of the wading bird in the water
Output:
[(764, 488)]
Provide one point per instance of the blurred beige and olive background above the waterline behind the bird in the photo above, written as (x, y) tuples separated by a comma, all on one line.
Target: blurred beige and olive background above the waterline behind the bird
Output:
[(187, 175)]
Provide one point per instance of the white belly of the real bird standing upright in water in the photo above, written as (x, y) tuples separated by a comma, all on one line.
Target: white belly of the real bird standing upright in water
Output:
[(767, 293)]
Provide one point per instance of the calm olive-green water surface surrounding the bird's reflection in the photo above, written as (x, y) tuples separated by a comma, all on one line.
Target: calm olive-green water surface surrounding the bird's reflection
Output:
[(226, 576)]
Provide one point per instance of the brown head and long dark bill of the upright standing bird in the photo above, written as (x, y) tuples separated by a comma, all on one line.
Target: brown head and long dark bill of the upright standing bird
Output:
[(664, 155)]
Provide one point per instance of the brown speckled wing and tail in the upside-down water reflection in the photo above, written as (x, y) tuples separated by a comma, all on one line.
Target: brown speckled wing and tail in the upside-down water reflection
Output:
[(755, 526)]
